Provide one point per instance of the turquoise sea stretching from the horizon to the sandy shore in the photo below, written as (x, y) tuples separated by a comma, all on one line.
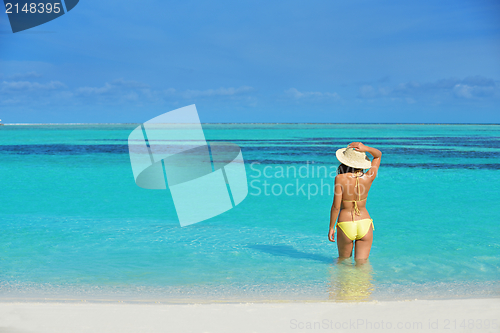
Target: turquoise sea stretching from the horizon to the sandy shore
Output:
[(74, 223)]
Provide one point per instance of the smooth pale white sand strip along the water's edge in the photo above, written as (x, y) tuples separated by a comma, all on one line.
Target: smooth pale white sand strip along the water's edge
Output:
[(460, 315)]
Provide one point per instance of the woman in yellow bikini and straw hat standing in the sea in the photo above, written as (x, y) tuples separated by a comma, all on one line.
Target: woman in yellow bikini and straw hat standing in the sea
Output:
[(351, 190)]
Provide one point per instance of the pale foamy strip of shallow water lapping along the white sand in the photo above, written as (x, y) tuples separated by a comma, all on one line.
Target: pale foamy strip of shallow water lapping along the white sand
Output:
[(249, 293)]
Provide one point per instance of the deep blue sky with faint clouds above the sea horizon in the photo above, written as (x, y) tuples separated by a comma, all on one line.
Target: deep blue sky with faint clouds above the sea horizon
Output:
[(257, 61)]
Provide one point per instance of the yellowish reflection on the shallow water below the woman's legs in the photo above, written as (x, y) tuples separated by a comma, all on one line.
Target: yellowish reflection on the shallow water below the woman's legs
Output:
[(351, 281)]
